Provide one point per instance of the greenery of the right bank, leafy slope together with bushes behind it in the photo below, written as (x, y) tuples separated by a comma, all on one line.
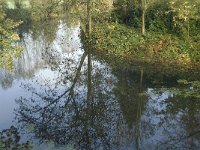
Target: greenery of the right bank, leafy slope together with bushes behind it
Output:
[(168, 36)]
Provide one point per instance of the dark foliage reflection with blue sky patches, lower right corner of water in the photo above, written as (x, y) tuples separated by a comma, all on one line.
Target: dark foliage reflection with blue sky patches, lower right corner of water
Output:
[(177, 120)]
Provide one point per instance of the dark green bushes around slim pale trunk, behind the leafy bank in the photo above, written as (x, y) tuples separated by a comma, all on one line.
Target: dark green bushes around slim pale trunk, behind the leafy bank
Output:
[(180, 17)]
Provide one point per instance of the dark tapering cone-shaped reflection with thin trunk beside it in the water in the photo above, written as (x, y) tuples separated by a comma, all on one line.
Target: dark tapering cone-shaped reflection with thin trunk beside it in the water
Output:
[(132, 102)]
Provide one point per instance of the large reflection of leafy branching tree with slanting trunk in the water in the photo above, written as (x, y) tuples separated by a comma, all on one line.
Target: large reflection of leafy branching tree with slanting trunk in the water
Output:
[(79, 115)]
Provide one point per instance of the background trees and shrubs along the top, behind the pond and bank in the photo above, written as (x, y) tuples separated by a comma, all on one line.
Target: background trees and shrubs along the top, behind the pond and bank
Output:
[(177, 17)]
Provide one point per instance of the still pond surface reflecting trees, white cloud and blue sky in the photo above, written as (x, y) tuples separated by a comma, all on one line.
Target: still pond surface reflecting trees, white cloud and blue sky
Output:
[(62, 97)]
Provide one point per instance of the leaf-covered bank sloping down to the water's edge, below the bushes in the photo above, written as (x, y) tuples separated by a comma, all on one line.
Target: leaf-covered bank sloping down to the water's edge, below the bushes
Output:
[(127, 47)]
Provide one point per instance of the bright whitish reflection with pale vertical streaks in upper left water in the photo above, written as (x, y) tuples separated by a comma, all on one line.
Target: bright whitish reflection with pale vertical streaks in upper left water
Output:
[(38, 50)]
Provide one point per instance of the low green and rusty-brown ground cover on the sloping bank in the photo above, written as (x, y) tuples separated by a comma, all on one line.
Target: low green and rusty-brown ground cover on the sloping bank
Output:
[(125, 43)]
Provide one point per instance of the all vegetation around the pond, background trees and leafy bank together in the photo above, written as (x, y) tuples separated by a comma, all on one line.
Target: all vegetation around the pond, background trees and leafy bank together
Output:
[(158, 31)]
